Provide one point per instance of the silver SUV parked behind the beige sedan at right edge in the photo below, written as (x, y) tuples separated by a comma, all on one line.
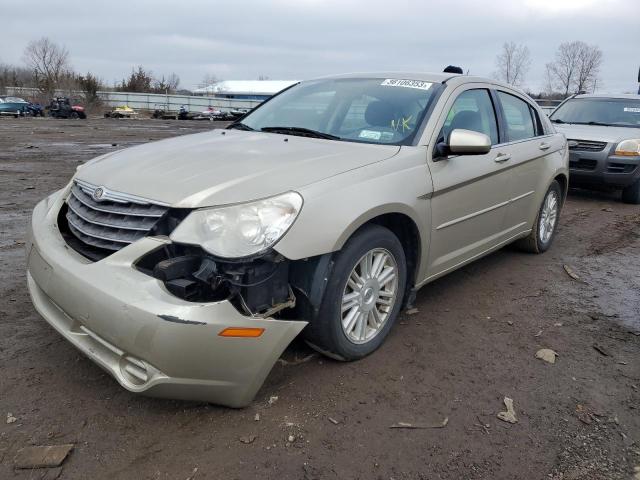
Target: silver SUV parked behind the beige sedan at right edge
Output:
[(604, 141)]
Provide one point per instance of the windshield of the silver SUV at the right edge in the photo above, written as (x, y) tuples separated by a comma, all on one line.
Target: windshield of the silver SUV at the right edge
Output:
[(619, 112)]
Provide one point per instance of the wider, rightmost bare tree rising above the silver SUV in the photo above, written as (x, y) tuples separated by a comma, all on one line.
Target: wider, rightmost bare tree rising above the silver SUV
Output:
[(576, 66)]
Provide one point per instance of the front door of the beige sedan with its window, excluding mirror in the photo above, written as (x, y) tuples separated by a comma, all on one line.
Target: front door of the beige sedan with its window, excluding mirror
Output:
[(470, 192)]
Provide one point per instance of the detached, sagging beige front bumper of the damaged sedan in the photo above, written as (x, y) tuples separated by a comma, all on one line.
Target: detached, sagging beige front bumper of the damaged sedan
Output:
[(150, 341)]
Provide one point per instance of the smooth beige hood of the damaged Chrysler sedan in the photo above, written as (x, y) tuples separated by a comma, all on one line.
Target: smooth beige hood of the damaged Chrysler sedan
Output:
[(226, 166)]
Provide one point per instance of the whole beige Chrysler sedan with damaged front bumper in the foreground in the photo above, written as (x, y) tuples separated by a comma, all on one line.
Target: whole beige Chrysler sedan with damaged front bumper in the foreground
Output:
[(185, 267)]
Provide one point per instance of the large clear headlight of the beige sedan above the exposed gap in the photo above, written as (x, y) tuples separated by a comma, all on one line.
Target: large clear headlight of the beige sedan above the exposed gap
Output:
[(240, 230)]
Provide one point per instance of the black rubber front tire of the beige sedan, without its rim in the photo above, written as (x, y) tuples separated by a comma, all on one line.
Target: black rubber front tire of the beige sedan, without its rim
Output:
[(325, 332)]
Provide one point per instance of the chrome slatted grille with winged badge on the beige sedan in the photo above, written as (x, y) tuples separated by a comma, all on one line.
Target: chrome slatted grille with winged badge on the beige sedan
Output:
[(109, 220)]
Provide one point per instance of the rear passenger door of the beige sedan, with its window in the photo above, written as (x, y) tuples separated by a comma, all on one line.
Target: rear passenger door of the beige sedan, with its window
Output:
[(527, 146)]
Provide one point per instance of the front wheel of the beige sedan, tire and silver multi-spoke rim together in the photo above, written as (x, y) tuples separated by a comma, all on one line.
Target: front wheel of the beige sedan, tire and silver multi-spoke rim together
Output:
[(360, 336)]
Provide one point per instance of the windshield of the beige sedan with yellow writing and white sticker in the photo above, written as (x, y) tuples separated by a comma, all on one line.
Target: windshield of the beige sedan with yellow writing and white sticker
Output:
[(372, 110)]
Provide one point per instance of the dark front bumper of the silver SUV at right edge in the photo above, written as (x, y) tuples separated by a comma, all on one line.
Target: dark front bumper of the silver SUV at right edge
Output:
[(603, 169)]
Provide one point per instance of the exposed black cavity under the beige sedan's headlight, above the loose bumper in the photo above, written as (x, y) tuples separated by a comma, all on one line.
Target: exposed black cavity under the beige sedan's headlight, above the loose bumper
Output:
[(257, 287)]
